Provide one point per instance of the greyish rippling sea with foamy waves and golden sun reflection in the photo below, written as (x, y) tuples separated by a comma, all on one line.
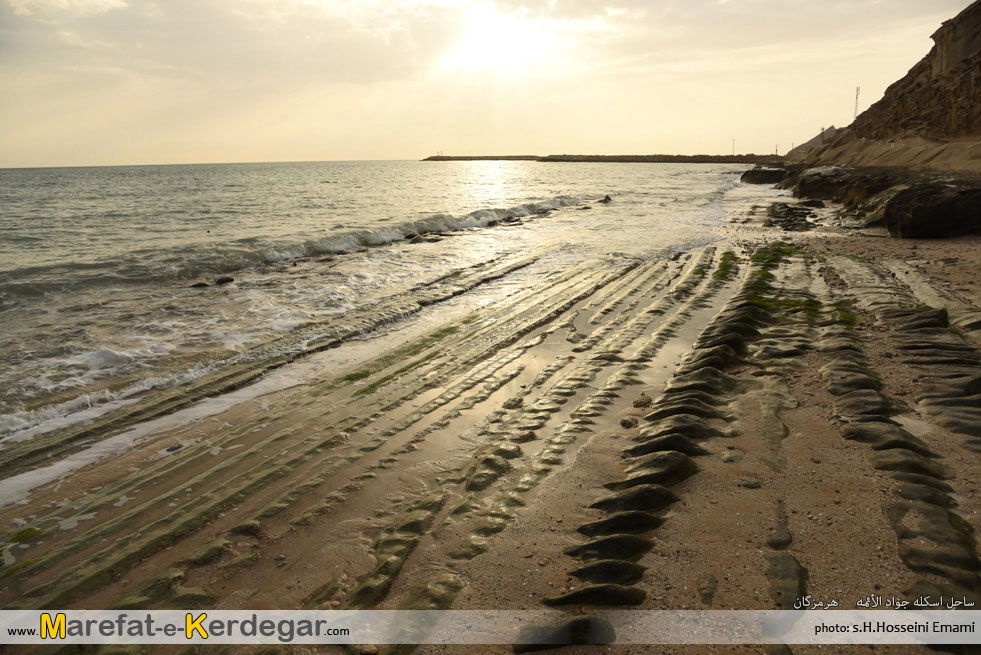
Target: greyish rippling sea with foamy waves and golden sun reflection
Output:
[(109, 275)]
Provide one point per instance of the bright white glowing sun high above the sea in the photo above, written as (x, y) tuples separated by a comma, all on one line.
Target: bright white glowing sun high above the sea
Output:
[(500, 43)]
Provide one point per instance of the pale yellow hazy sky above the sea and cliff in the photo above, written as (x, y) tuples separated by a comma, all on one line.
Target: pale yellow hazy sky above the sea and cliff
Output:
[(113, 82)]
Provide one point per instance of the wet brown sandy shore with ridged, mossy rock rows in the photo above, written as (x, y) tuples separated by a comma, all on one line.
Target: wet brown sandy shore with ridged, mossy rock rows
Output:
[(774, 415)]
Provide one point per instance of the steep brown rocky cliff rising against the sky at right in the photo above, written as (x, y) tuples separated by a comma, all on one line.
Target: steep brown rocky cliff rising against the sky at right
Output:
[(931, 118)]
